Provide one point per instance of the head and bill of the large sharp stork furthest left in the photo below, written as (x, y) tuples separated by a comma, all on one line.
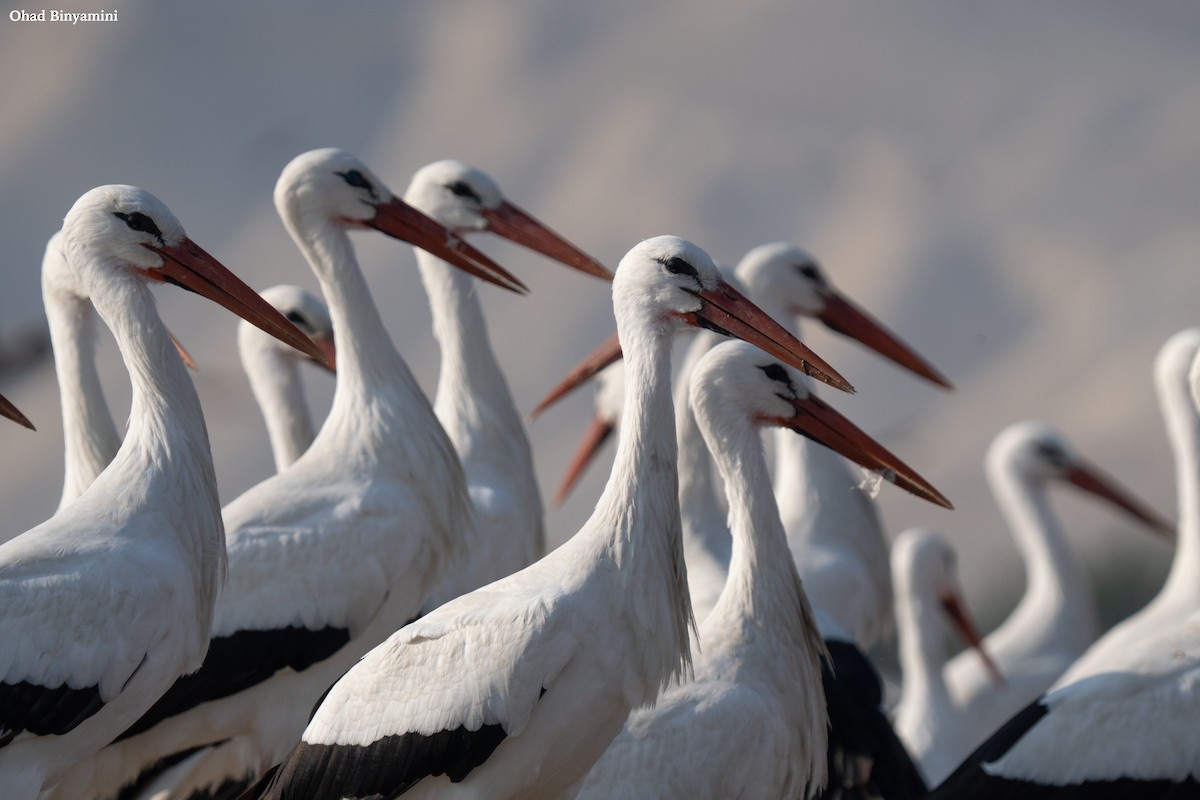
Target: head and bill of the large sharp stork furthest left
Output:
[(117, 232)]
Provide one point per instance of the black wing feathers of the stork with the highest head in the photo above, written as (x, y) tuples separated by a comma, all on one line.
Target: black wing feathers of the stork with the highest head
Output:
[(241, 661)]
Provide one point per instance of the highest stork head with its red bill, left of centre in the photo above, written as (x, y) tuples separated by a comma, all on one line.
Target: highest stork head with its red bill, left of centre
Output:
[(331, 187)]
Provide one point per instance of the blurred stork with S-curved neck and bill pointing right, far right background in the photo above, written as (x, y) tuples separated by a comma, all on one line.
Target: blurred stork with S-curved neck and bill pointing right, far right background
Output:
[(1055, 619)]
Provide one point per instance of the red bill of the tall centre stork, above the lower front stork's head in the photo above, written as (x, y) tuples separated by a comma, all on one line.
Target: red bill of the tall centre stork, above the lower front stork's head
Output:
[(727, 311)]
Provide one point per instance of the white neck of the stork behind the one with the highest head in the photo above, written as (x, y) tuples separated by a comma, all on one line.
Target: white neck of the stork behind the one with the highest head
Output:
[(473, 400)]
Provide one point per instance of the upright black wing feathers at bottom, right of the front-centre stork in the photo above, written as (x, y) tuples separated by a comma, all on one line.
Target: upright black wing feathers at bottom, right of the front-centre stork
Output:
[(866, 757)]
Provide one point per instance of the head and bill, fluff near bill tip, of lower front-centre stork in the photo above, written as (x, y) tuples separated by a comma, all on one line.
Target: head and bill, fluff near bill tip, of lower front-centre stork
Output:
[(739, 382)]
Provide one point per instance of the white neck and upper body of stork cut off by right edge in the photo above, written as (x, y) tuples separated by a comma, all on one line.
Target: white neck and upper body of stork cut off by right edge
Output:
[(1177, 380)]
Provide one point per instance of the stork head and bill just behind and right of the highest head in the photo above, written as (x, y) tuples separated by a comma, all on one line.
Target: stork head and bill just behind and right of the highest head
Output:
[(465, 200)]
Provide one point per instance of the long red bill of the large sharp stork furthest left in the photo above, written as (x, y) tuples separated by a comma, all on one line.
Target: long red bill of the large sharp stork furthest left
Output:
[(189, 267)]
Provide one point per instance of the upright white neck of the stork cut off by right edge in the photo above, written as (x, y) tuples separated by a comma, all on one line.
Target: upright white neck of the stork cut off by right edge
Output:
[(1184, 435)]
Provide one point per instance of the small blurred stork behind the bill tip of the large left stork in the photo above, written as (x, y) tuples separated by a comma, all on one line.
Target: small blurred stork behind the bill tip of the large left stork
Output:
[(274, 371)]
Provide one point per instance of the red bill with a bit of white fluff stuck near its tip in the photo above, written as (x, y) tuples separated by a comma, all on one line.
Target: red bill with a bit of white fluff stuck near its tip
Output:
[(819, 422)]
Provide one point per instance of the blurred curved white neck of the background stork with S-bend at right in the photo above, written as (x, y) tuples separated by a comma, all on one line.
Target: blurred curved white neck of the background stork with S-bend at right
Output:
[(1058, 588)]
